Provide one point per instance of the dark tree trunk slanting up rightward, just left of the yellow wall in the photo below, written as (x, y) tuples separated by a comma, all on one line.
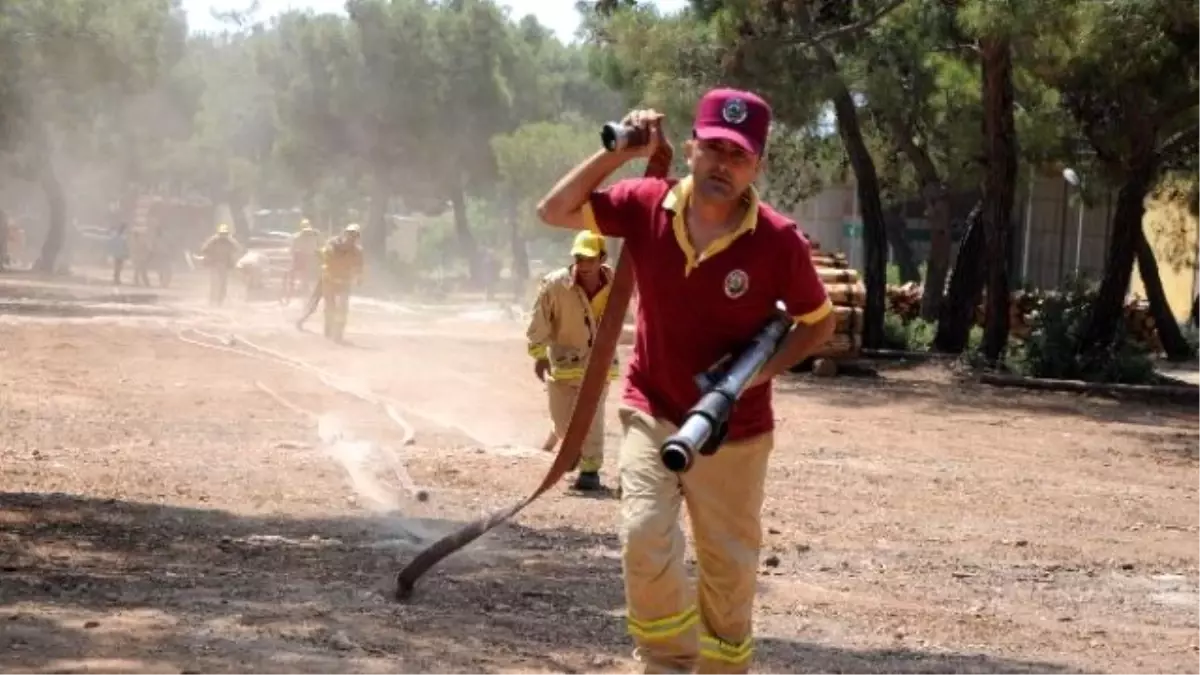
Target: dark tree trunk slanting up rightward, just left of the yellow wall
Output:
[(1109, 307)]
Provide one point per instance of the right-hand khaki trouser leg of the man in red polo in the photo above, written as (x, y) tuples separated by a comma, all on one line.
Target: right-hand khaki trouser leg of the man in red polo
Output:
[(725, 494)]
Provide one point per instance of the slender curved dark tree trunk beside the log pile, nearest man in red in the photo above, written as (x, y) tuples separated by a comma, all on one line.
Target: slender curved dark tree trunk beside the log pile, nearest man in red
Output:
[(875, 237)]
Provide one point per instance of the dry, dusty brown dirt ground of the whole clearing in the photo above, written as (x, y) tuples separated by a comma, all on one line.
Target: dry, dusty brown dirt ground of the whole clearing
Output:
[(160, 512)]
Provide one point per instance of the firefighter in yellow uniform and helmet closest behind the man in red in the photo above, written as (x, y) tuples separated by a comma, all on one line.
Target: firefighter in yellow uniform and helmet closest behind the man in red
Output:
[(562, 331)]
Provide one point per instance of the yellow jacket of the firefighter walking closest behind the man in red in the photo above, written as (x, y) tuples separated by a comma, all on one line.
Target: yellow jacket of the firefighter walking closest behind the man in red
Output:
[(565, 325)]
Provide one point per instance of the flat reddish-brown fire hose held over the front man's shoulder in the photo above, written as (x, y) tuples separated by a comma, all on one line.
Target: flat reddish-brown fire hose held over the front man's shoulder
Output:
[(596, 378)]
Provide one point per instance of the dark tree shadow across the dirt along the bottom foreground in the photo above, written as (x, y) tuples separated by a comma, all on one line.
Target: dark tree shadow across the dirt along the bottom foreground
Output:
[(200, 592)]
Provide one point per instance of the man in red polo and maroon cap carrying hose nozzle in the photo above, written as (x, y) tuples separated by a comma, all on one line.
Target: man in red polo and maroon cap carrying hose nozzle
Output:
[(711, 264)]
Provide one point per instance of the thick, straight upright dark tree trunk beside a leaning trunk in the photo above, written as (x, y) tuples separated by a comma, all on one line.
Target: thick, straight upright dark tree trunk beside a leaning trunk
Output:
[(1000, 187)]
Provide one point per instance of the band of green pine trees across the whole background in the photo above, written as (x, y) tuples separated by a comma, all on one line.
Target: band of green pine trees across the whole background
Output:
[(455, 110)]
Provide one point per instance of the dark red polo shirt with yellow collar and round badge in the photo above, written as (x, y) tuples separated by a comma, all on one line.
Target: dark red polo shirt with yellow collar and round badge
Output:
[(695, 308)]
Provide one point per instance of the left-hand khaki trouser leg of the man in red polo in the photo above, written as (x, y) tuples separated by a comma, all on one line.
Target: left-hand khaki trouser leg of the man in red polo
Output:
[(662, 613)]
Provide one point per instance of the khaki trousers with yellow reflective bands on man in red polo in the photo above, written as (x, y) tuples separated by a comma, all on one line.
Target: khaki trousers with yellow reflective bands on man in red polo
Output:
[(724, 495)]
